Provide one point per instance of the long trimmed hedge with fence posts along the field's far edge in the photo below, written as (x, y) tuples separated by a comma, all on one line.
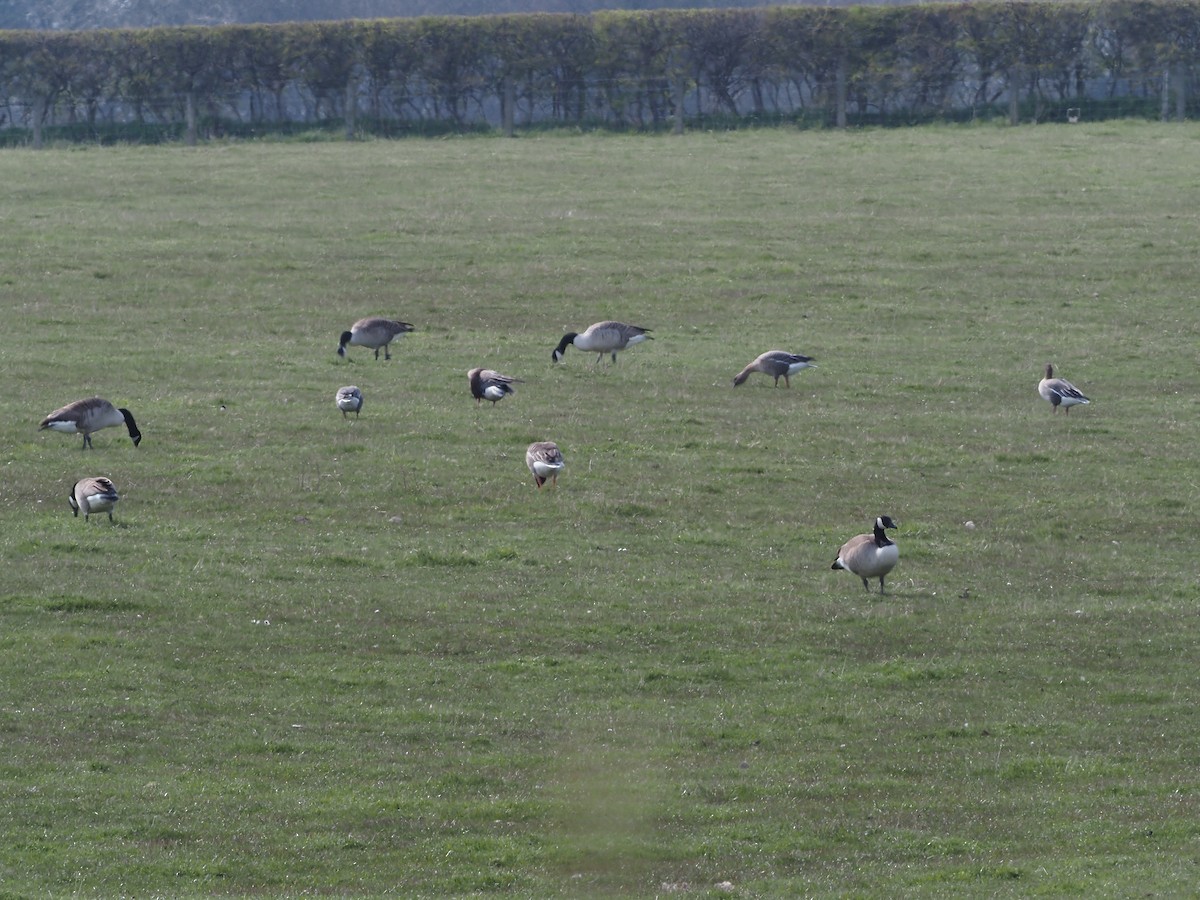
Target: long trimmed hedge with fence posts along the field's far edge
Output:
[(814, 68)]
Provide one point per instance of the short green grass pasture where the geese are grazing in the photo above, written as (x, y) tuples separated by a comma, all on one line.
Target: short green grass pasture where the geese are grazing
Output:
[(316, 656)]
